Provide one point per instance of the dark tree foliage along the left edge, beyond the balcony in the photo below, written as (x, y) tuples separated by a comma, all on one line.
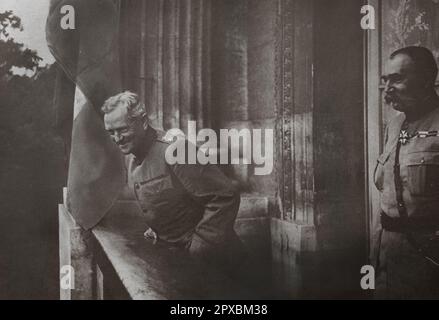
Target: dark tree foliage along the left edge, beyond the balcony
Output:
[(32, 170)]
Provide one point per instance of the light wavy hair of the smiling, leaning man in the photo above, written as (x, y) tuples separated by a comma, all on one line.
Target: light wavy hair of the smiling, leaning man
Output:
[(128, 100)]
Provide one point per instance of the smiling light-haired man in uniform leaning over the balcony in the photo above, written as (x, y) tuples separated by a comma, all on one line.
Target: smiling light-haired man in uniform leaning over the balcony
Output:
[(187, 206)]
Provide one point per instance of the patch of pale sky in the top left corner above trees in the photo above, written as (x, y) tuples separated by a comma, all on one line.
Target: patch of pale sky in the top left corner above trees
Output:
[(33, 14)]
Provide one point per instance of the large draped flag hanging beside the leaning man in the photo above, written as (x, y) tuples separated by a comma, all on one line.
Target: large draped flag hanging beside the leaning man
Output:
[(88, 54)]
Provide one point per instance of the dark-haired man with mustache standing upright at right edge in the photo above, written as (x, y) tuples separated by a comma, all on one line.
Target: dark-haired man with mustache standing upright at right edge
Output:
[(406, 251)]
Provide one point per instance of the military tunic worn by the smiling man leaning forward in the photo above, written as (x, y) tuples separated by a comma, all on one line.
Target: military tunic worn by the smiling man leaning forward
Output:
[(188, 205)]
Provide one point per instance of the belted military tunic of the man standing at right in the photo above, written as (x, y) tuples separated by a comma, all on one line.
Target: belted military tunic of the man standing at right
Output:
[(402, 271)]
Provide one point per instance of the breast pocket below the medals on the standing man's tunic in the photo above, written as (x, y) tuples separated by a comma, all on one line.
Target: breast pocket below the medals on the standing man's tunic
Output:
[(423, 173)]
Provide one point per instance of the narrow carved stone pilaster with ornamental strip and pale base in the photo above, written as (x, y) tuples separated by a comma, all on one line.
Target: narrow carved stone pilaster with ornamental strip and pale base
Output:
[(295, 227)]
